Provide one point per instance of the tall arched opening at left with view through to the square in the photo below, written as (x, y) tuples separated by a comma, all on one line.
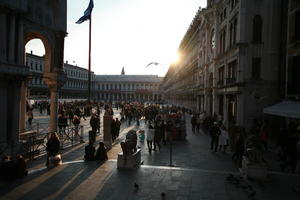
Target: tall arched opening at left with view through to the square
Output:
[(34, 91)]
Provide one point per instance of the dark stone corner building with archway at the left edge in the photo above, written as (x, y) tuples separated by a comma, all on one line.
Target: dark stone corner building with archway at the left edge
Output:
[(21, 21)]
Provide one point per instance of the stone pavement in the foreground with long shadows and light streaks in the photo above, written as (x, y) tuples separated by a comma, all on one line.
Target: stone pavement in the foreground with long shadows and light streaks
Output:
[(199, 174)]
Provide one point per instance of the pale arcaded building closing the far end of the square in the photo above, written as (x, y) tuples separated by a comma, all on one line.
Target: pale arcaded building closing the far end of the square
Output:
[(142, 88)]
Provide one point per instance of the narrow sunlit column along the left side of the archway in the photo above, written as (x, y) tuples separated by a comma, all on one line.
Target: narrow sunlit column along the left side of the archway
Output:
[(23, 106)]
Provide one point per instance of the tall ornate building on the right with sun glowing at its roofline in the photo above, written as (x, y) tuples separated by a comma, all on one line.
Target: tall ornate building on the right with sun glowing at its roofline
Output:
[(231, 56)]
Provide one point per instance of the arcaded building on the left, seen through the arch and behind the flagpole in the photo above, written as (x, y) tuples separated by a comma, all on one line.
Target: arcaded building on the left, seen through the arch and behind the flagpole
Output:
[(75, 86)]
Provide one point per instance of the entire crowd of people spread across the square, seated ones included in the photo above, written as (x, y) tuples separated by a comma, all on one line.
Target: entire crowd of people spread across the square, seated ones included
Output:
[(163, 124)]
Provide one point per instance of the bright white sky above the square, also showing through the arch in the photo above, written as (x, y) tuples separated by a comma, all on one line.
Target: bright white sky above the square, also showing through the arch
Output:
[(129, 33)]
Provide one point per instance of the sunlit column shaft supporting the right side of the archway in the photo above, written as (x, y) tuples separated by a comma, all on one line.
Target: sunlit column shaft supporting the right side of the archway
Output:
[(53, 108)]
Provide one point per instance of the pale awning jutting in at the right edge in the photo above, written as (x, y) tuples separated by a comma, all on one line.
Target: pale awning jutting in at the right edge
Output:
[(289, 109)]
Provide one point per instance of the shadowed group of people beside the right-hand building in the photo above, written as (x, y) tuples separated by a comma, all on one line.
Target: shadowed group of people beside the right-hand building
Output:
[(287, 140)]
